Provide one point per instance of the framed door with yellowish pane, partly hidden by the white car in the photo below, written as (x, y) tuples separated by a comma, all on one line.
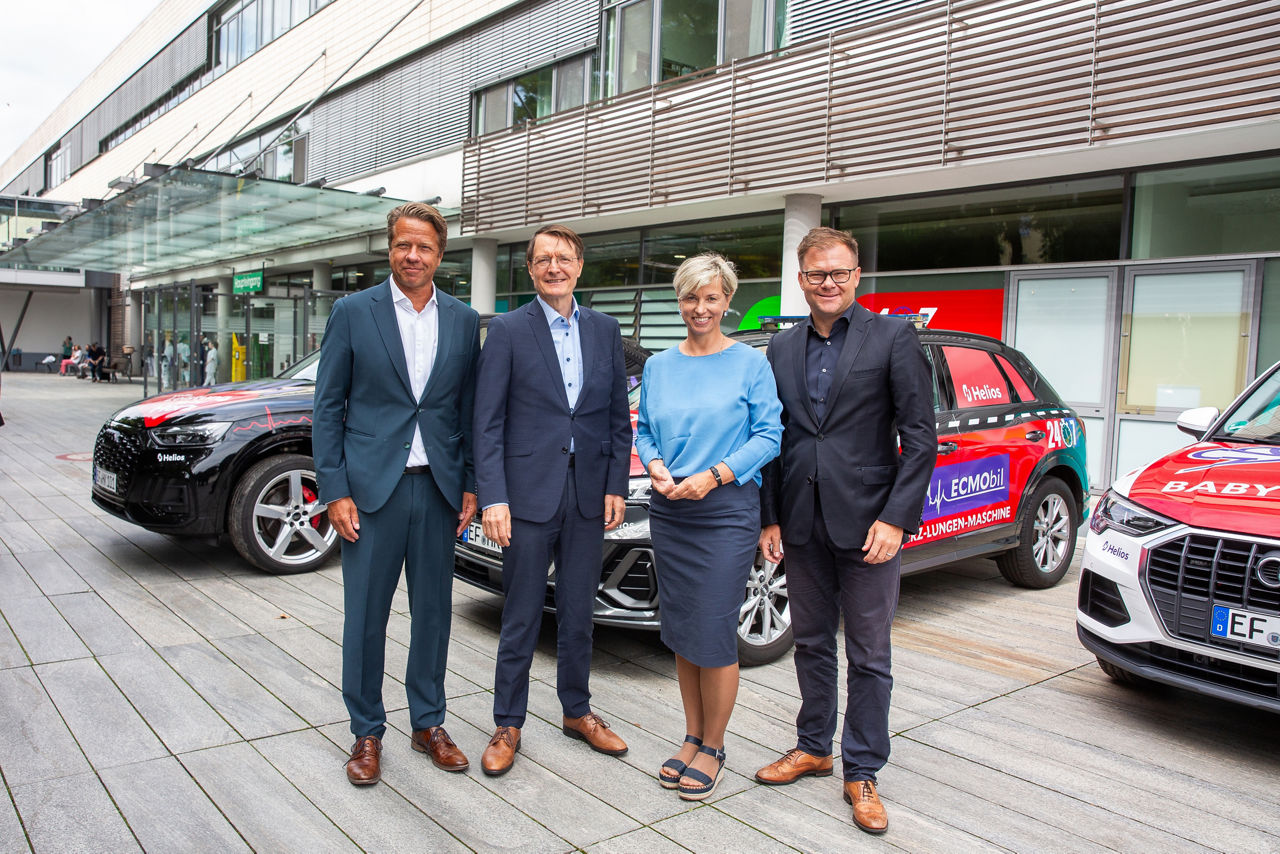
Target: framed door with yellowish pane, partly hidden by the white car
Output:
[(1185, 342)]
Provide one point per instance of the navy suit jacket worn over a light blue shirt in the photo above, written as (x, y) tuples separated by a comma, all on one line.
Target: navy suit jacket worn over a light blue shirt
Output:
[(524, 424)]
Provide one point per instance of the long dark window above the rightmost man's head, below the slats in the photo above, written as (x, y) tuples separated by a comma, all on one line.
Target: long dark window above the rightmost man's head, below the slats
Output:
[(1068, 222)]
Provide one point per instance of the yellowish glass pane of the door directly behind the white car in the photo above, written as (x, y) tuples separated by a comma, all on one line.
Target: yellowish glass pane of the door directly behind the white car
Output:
[(1185, 341)]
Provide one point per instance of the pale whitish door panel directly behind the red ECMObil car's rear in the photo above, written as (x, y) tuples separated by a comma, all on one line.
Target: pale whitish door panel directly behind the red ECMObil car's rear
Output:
[(1064, 322)]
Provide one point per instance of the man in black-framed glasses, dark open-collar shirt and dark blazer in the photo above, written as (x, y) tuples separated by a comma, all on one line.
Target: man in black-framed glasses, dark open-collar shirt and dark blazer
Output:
[(839, 503)]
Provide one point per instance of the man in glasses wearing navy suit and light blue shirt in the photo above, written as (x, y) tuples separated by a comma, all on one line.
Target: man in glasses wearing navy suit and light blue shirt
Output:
[(554, 445)]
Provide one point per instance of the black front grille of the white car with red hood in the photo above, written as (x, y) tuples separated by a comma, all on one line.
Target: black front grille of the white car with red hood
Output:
[(1187, 577)]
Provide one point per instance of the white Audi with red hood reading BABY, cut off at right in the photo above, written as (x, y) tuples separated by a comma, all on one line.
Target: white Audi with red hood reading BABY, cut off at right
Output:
[(1181, 578)]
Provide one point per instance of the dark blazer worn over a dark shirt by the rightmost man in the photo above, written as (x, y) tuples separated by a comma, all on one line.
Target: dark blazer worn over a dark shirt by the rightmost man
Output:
[(883, 394)]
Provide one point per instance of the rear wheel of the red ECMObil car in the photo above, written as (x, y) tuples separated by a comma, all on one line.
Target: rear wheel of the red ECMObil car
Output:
[(1046, 541)]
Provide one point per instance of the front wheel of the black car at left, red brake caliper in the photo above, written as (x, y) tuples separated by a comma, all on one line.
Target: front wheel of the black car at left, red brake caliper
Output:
[(277, 522)]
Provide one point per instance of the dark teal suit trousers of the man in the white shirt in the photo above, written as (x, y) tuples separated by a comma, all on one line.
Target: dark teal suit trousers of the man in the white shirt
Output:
[(414, 529)]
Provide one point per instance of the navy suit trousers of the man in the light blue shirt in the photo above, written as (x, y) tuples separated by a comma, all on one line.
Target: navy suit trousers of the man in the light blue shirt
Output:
[(575, 544)]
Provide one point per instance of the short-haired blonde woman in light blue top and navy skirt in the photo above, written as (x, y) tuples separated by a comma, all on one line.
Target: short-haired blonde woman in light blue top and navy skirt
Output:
[(710, 419)]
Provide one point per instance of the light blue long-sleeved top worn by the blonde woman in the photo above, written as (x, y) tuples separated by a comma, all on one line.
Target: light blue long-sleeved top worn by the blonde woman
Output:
[(697, 412)]
